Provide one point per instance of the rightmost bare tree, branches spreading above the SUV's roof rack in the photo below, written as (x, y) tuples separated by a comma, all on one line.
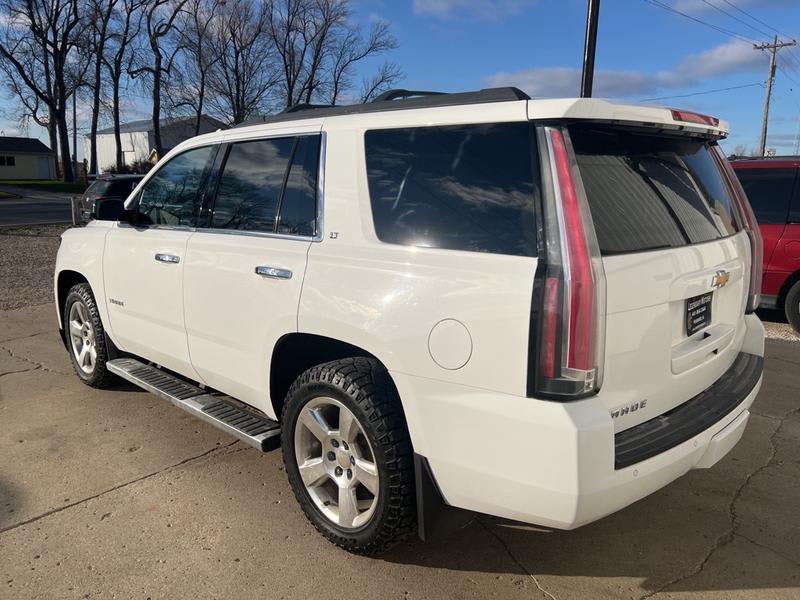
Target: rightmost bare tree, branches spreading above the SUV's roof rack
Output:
[(319, 46)]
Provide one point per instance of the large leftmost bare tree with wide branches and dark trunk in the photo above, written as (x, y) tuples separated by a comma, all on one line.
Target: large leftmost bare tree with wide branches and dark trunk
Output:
[(36, 43)]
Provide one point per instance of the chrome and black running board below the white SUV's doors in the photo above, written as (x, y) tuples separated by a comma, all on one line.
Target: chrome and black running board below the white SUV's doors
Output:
[(216, 409)]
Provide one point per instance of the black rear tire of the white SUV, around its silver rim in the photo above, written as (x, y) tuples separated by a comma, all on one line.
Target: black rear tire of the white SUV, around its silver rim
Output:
[(366, 389)]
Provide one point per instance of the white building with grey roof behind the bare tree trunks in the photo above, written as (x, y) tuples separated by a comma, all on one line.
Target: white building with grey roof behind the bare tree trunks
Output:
[(137, 139)]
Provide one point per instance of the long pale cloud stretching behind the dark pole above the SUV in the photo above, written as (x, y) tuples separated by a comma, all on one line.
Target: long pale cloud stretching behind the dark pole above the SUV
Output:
[(725, 59)]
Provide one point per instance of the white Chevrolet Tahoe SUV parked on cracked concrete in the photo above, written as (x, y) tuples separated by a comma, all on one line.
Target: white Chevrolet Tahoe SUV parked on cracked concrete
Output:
[(536, 309)]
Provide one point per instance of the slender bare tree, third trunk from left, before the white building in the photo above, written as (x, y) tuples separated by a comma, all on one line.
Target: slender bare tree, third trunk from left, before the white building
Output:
[(123, 29)]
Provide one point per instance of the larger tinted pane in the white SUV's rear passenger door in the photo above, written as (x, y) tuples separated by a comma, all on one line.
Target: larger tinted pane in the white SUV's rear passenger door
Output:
[(250, 185)]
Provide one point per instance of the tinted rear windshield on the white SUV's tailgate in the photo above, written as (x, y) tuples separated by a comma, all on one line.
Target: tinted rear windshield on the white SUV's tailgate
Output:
[(647, 191)]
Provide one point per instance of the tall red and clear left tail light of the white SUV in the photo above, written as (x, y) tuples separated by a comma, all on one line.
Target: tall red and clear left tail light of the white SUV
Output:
[(570, 326)]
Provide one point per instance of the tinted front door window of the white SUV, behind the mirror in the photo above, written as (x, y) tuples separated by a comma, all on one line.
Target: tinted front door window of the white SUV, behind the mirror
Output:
[(171, 196)]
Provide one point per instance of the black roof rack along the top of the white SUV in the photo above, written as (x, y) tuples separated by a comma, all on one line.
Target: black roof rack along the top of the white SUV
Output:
[(393, 100)]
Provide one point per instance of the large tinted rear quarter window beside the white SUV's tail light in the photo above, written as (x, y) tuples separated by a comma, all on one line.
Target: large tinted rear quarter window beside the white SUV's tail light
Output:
[(465, 187)]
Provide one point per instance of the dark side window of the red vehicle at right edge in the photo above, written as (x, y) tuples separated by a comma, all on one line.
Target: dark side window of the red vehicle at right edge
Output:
[(769, 192)]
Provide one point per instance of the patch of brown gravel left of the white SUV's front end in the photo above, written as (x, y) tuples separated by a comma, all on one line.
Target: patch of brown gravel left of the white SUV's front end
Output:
[(27, 261)]
